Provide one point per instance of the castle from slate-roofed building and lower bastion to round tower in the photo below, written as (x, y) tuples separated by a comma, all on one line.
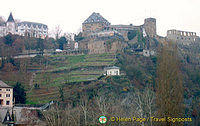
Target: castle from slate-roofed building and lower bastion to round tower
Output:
[(100, 36)]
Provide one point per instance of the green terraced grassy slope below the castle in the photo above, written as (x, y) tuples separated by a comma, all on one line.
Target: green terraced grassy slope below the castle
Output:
[(64, 68)]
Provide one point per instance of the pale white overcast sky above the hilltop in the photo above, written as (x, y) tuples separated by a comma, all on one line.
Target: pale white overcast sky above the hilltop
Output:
[(69, 14)]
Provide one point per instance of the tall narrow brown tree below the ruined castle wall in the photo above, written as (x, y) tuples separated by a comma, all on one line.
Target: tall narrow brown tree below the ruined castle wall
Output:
[(169, 87)]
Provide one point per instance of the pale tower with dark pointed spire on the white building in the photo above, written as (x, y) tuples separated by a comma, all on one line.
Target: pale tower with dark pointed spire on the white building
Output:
[(10, 25)]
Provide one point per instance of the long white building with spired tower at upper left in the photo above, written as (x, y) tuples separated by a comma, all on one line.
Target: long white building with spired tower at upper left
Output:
[(31, 29)]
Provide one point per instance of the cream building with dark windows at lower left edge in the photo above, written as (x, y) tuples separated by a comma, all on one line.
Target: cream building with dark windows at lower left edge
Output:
[(6, 95)]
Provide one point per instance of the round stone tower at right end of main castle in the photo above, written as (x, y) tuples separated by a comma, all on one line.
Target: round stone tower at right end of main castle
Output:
[(150, 27)]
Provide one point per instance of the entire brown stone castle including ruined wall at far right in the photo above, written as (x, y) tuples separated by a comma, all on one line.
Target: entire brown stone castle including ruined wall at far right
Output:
[(100, 36)]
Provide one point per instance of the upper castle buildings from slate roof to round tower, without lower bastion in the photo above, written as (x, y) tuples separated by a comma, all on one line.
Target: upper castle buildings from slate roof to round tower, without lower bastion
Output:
[(95, 24)]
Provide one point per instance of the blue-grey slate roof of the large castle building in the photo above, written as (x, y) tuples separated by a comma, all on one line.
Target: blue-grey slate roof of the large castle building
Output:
[(96, 18)]
